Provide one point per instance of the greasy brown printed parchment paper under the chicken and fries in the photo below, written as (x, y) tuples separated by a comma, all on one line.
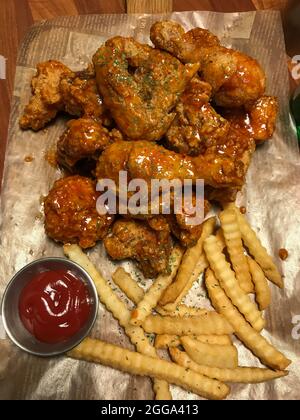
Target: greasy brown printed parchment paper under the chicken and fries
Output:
[(271, 196)]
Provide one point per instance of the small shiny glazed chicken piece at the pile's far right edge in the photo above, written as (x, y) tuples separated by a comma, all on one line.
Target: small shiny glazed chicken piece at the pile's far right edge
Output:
[(257, 119)]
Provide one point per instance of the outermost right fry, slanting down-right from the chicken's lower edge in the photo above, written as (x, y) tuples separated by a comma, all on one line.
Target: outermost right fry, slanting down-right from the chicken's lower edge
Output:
[(258, 252)]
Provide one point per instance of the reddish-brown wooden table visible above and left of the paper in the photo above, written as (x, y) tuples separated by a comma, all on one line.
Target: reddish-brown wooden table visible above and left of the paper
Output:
[(16, 16)]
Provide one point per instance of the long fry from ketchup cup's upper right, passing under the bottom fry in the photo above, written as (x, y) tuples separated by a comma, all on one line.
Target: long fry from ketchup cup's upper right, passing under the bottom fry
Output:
[(119, 311)]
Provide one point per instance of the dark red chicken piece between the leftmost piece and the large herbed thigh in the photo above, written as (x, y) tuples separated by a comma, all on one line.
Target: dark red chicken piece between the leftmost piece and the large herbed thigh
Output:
[(81, 97)]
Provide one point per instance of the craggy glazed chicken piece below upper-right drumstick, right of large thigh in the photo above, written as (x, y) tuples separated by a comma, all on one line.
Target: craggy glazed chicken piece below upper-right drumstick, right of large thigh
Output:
[(196, 125)]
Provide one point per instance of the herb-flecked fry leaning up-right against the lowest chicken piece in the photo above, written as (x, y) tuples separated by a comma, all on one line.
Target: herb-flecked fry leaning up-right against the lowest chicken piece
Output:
[(152, 296)]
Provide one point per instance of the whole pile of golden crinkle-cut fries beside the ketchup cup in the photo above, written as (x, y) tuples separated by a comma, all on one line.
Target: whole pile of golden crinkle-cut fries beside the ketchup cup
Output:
[(198, 340)]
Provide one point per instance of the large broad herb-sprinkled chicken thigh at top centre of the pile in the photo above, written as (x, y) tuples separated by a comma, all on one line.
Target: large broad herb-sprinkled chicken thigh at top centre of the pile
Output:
[(140, 85)]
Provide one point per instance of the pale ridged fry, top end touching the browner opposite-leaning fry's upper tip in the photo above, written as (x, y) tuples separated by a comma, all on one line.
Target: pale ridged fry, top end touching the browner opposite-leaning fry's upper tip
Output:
[(229, 283)]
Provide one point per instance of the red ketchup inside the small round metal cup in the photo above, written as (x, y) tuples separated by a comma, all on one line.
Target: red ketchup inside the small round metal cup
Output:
[(54, 306)]
